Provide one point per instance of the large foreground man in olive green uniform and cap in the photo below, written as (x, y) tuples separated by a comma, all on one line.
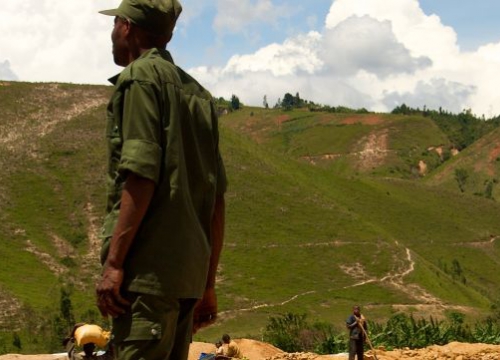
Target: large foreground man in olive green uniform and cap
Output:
[(163, 232)]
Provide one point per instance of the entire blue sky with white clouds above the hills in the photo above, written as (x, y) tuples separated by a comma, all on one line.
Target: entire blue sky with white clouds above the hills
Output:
[(357, 53)]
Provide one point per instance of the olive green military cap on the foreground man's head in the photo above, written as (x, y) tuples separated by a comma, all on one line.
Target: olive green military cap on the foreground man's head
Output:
[(156, 16)]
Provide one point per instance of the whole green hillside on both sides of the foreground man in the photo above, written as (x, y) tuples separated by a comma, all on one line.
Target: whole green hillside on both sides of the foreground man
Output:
[(323, 211)]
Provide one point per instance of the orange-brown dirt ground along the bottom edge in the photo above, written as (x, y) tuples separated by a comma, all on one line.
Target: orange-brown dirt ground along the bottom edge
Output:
[(255, 350)]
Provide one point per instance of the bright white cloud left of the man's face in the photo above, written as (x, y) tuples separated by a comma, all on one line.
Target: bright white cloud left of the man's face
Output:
[(56, 40)]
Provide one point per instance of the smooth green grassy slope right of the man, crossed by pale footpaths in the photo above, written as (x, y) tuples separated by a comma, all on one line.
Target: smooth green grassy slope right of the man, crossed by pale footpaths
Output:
[(365, 216)]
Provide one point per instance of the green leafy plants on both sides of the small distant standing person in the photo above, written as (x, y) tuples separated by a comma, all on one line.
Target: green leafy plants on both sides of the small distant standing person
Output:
[(293, 333)]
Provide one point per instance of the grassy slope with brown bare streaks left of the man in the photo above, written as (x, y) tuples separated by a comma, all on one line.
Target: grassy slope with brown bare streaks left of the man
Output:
[(52, 172)]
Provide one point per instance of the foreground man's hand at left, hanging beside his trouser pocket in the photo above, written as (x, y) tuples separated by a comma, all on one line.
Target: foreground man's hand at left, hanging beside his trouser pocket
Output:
[(109, 300)]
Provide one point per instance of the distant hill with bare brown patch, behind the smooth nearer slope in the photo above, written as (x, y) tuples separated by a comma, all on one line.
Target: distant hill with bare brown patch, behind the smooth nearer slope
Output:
[(377, 144)]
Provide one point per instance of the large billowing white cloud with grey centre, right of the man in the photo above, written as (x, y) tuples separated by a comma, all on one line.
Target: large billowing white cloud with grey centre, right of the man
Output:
[(371, 53)]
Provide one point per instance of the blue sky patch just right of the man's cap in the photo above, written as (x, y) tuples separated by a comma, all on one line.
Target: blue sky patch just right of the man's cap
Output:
[(218, 45)]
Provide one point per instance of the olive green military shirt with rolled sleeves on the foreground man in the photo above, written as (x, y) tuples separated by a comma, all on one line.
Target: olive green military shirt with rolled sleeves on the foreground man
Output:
[(162, 125)]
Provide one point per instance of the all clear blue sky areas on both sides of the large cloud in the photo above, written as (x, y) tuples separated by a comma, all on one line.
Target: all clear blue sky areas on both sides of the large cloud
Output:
[(473, 20)]
